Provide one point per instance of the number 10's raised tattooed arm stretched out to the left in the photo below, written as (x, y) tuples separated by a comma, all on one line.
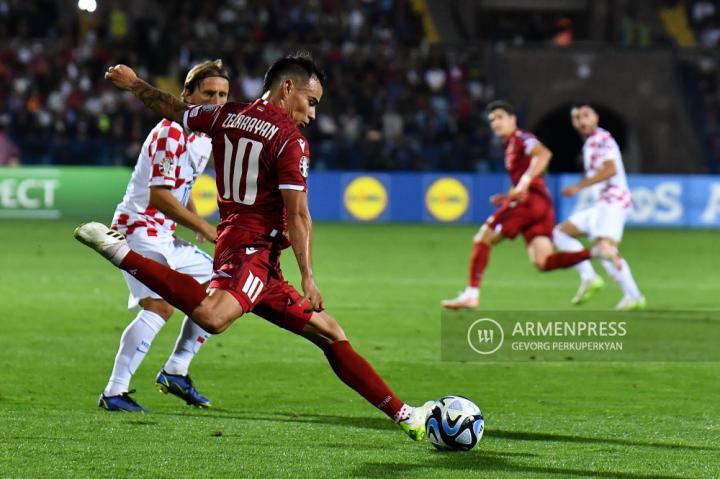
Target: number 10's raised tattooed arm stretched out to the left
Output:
[(159, 101)]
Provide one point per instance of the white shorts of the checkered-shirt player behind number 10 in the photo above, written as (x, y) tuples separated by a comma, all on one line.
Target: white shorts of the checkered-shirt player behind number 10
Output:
[(178, 254)]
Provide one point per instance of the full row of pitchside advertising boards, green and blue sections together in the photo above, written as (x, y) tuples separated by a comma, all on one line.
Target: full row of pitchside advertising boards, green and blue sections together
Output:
[(681, 201)]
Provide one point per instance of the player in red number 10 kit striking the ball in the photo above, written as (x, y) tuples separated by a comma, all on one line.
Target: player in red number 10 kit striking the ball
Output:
[(262, 163)]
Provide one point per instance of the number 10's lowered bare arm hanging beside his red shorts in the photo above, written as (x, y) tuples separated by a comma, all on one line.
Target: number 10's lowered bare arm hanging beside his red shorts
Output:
[(300, 231)]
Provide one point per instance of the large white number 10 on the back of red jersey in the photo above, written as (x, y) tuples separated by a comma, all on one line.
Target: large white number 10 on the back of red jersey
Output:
[(236, 165)]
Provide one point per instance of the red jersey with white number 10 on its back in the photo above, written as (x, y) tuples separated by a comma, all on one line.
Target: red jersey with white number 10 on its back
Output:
[(258, 151)]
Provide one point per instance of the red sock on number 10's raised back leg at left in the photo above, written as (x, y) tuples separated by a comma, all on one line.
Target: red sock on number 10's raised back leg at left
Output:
[(180, 290)]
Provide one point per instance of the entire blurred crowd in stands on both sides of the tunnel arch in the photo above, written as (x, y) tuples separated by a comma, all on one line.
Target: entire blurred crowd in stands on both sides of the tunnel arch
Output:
[(396, 98)]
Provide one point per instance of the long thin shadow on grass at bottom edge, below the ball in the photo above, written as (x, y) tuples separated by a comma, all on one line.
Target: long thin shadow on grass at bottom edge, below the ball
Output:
[(481, 462)]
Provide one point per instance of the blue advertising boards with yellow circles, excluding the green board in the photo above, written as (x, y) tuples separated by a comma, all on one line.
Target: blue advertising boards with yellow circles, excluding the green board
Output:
[(676, 201)]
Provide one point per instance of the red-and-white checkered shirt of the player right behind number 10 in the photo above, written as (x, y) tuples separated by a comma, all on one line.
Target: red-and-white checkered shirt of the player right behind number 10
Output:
[(172, 157)]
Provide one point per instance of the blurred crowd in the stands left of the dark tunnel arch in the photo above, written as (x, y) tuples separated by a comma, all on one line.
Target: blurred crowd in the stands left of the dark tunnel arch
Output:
[(391, 102)]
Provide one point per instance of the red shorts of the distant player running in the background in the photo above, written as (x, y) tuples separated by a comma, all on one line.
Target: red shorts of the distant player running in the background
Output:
[(533, 217)]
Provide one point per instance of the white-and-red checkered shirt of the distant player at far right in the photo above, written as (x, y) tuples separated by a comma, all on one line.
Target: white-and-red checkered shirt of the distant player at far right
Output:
[(598, 148)]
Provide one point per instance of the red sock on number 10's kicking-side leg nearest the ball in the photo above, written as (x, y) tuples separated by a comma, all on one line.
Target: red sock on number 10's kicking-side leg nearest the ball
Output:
[(357, 373)]
